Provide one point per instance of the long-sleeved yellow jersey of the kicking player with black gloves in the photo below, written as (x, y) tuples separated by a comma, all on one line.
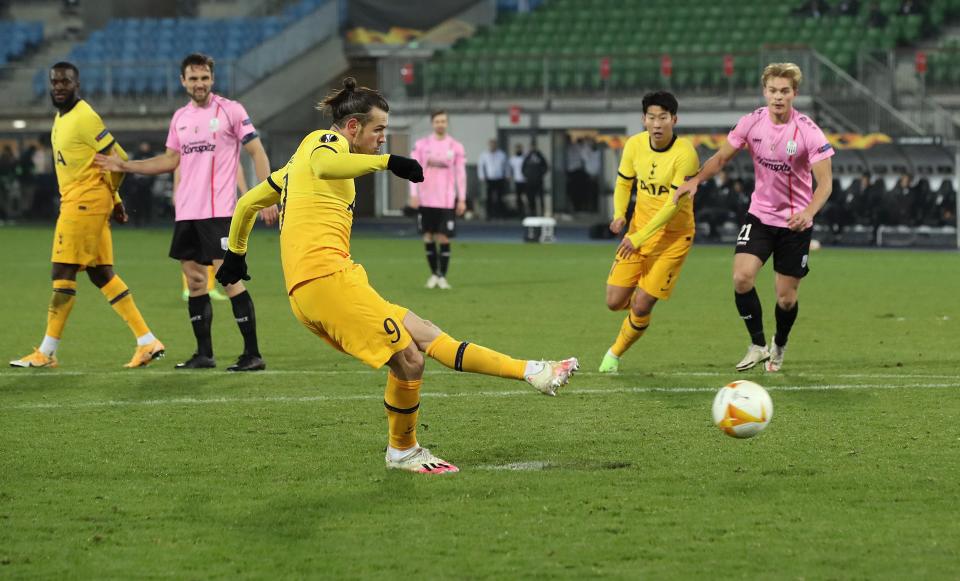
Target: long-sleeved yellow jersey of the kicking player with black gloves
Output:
[(316, 194)]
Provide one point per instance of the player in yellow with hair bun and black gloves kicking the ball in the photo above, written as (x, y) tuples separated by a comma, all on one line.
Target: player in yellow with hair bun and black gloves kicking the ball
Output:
[(330, 294)]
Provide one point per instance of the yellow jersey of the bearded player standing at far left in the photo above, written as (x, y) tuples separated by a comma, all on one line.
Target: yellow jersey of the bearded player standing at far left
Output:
[(77, 136)]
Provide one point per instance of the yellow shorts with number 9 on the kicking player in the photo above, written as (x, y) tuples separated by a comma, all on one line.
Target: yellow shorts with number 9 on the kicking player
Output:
[(345, 311)]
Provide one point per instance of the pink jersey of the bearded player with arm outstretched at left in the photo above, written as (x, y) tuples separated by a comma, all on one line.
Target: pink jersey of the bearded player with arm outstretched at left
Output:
[(208, 140)]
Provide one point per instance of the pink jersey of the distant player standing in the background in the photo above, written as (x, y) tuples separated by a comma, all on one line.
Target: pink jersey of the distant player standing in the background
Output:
[(444, 172)]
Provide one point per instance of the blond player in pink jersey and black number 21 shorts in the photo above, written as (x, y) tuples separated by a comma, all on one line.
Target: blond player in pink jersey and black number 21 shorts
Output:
[(789, 151)]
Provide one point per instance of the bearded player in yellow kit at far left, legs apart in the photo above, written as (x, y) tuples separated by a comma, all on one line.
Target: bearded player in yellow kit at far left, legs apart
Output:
[(82, 239)]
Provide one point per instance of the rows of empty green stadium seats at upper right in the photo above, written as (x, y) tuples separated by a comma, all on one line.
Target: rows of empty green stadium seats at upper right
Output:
[(573, 35)]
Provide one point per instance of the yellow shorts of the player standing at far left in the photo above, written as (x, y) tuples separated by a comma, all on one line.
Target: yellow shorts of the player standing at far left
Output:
[(83, 239)]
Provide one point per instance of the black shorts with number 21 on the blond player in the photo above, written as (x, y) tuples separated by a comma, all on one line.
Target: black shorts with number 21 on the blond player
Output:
[(790, 249)]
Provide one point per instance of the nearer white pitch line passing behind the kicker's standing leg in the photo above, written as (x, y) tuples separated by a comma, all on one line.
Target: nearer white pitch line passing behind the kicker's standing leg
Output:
[(187, 401)]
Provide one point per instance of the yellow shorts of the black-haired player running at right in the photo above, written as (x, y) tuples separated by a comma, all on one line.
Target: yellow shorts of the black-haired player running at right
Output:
[(656, 267)]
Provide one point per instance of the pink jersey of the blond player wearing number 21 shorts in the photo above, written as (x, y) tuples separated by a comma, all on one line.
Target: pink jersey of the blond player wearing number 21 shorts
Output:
[(782, 158)]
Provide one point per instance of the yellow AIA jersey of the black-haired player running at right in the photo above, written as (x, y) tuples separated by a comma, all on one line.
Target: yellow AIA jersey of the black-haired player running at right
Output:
[(657, 173)]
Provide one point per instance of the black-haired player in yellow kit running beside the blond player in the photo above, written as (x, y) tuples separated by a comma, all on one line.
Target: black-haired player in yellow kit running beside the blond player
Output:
[(650, 256)]
